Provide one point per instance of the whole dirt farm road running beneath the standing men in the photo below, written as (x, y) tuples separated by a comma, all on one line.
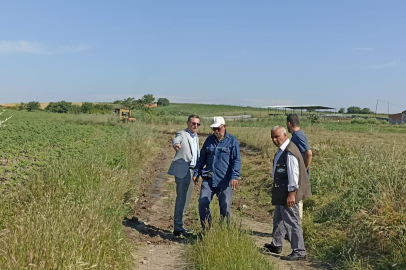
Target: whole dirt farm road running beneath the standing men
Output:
[(152, 223)]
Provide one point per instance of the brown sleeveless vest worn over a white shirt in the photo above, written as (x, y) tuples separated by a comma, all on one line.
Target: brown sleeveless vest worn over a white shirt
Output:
[(280, 185)]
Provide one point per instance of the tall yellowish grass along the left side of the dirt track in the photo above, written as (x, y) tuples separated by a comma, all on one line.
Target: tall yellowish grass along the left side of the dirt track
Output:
[(68, 213)]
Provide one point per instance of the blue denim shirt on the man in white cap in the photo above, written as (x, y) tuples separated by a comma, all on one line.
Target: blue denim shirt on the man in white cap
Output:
[(221, 160)]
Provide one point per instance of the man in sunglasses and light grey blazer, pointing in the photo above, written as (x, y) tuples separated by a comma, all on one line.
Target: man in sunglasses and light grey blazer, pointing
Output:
[(186, 145)]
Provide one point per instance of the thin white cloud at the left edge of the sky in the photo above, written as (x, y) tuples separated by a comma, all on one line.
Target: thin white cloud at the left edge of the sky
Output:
[(29, 47)]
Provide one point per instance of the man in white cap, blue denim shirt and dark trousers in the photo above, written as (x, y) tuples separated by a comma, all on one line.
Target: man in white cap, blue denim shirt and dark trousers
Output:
[(219, 165)]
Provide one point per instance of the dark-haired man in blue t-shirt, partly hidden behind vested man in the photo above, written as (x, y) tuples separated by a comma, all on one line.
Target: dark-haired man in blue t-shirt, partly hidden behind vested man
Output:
[(300, 140)]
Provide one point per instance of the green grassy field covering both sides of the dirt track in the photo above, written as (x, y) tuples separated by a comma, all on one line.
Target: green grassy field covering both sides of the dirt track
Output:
[(59, 210)]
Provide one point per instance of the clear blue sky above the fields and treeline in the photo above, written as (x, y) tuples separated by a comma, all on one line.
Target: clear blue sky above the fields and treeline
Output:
[(255, 53)]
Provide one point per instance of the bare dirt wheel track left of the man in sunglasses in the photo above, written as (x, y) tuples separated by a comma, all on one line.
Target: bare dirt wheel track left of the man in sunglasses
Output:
[(152, 221)]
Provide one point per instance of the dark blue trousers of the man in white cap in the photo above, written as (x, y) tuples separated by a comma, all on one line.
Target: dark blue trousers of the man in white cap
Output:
[(207, 192)]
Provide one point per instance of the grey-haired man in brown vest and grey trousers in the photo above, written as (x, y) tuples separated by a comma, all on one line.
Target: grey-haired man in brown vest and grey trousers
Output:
[(290, 185)]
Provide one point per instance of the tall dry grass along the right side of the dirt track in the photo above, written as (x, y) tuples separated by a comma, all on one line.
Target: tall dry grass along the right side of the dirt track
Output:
[(354, 220)]
